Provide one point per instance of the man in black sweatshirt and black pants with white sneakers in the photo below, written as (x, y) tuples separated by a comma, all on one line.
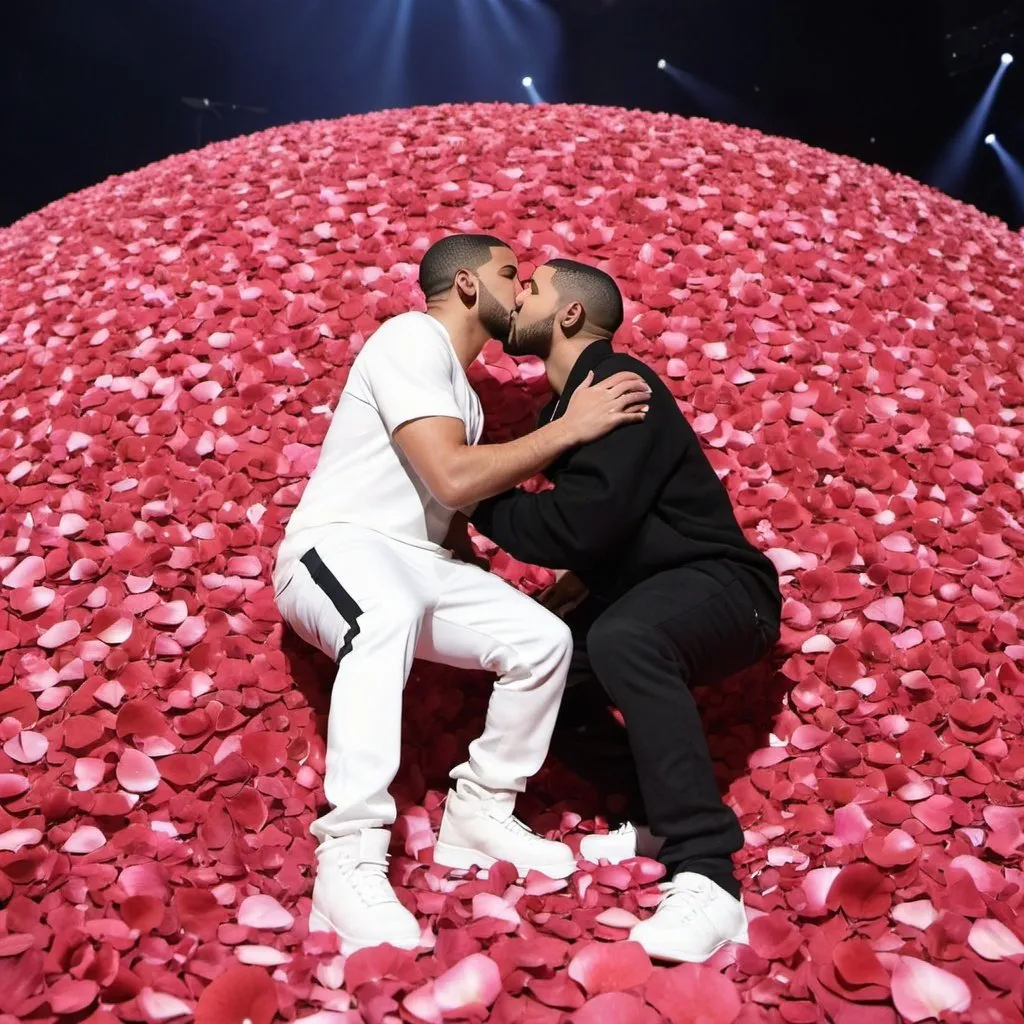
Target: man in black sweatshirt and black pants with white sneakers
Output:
[(669, 592)]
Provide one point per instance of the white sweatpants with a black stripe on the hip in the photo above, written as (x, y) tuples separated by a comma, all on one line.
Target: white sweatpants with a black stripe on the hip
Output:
[(373, 605)]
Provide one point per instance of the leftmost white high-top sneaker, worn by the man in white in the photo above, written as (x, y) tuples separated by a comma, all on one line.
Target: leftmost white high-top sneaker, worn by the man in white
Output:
[(353, 895)]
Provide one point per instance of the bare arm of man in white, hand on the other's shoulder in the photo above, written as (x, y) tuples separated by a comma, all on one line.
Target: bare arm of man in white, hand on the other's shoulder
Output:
[(460, 475)]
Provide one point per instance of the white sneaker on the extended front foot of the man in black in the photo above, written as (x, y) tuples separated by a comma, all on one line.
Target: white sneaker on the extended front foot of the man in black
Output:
[(695, 920)]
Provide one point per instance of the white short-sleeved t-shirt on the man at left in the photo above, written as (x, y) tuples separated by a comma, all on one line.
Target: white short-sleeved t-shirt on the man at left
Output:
[(408, 370)]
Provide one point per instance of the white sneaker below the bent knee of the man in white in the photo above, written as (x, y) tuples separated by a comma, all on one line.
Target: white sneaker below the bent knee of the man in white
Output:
[(483, 831)]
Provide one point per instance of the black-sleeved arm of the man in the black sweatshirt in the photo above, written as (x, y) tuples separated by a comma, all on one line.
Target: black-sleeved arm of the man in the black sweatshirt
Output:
[(599, 503)]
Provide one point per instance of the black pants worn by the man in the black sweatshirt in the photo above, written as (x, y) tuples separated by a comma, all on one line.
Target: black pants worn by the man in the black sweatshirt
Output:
[(681, 628)]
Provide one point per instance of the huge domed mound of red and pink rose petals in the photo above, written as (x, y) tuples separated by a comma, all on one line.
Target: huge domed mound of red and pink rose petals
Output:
[(848, 346)]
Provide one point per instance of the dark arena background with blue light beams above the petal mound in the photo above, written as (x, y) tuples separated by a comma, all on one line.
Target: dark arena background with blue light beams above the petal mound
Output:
[(91, 90)]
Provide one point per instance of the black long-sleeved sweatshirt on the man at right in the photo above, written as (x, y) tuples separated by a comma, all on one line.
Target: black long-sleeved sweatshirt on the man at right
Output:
[(641, 500)]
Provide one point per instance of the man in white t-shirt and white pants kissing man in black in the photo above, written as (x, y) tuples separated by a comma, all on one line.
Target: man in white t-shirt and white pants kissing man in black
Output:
[(364, 575)]
